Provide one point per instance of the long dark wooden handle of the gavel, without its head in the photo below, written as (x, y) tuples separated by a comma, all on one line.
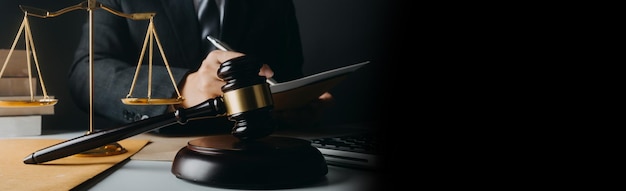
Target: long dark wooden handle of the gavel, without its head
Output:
[(210, 107)]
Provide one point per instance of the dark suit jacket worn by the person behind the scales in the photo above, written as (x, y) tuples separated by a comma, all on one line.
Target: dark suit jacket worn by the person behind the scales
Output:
[(266, 29)]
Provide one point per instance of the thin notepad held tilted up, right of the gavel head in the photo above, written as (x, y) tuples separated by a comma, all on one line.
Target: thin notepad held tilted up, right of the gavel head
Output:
[(299, 92)]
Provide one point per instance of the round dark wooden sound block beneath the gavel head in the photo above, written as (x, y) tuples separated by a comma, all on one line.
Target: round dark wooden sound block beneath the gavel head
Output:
[(268, 163)]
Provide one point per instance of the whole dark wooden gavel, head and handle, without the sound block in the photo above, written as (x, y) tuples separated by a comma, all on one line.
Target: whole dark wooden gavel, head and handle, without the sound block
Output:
[(247, 100)]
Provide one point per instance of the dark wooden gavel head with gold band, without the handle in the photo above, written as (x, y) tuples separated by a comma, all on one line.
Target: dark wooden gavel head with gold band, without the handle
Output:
[(247, 97)]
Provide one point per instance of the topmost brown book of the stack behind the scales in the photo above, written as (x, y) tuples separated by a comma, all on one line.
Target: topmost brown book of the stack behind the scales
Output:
[(17, 65)]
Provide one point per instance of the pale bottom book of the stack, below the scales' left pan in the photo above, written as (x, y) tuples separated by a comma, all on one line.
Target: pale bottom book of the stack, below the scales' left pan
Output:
[(27, 125)]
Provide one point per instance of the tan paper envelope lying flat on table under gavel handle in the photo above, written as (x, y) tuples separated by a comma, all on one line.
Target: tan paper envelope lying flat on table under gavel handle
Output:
[(63, 174)]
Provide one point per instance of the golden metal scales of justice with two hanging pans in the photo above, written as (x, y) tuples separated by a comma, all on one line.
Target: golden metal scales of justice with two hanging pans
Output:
[(35, 101)]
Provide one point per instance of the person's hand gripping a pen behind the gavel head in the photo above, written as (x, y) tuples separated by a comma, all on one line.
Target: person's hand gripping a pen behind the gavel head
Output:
[(205, 84)]
